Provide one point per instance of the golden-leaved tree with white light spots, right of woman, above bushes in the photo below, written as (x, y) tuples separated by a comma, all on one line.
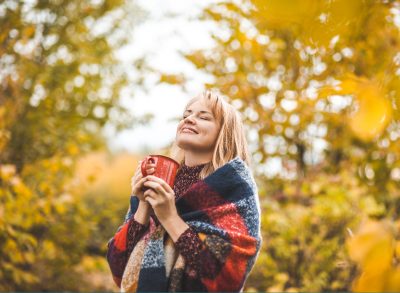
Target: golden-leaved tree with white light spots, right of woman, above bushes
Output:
[(272, 59)]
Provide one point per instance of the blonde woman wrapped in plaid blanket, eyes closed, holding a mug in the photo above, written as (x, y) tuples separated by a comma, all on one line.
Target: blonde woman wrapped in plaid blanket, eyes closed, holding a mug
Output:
[(204, 233)]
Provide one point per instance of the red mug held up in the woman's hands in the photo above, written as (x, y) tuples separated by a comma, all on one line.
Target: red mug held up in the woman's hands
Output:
[(165, 168)]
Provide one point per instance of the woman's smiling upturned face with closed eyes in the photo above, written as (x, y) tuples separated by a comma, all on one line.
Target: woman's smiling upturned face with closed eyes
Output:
[(198, 130)]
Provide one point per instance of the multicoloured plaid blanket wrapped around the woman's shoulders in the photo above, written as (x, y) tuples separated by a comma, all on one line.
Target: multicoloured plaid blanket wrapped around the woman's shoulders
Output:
[(223, 209)]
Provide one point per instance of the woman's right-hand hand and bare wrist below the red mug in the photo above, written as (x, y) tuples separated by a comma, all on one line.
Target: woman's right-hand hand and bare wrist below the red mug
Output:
[(161, 197)]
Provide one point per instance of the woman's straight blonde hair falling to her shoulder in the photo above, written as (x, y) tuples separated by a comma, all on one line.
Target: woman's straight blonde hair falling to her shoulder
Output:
[(231, 141)]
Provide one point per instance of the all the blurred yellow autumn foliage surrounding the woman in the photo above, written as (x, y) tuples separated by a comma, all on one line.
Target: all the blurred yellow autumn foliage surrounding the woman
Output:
[(317, 83)]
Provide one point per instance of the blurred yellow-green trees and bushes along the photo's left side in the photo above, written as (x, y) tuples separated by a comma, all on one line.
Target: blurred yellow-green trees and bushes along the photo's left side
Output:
[(60, 83)]
